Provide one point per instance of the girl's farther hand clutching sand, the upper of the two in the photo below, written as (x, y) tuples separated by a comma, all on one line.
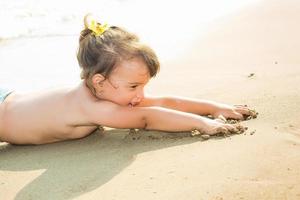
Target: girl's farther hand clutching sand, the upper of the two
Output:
[(238, 112)]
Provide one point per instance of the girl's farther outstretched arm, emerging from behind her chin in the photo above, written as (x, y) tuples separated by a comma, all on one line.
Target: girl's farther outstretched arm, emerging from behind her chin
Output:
[(196, 106)]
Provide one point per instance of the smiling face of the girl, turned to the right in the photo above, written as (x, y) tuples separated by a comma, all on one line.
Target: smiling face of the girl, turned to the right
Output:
[(125, 85)]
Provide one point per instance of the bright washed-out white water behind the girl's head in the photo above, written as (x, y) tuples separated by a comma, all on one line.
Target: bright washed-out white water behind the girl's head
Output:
[(39, 38)]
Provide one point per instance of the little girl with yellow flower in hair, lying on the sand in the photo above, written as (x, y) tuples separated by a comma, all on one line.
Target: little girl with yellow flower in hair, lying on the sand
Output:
[(115, 68)]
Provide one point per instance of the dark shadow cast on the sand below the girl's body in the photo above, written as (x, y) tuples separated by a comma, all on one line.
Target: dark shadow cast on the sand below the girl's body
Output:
[(73, 168)]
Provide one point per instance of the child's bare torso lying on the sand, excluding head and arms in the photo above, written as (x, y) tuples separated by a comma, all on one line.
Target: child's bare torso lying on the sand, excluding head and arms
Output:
[(45, 117)]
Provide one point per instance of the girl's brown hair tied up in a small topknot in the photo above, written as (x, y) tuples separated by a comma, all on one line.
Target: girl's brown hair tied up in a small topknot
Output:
[(100, 54)]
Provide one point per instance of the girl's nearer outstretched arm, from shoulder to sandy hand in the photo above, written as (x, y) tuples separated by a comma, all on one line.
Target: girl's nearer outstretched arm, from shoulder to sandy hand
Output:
[(153, 118)]
